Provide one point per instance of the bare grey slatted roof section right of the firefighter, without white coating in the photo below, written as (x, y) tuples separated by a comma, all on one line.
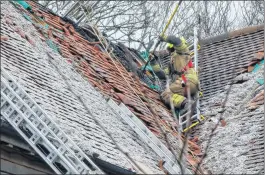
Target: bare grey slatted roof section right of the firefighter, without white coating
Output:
[(223, 57)]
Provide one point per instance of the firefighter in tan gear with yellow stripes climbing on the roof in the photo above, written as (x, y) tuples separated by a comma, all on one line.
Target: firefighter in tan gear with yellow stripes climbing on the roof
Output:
[(181, 72)]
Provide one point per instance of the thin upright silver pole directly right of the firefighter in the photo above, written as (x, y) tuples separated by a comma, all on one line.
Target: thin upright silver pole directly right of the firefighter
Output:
[(196, 68)]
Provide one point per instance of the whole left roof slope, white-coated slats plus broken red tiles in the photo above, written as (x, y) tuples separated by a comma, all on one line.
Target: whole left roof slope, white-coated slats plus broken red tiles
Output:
[(24, 56)]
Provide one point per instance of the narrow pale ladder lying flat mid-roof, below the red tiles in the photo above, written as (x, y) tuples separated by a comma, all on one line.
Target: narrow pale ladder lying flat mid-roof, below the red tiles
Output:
[(170, 164)]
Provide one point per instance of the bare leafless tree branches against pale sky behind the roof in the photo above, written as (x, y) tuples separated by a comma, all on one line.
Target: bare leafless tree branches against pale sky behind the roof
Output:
[(136, 23)]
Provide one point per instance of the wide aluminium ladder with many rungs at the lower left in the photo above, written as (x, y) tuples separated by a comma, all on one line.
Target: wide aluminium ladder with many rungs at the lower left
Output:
[(41, 132)]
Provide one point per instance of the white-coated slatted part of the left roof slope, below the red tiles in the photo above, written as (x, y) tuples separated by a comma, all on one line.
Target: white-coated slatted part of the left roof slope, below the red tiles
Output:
[(30, 67)]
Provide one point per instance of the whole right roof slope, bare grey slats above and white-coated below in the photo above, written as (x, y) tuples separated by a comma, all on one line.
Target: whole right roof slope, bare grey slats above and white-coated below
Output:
[(238, 146)]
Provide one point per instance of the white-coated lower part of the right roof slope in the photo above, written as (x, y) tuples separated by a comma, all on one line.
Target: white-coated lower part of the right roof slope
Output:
[(236, 147)]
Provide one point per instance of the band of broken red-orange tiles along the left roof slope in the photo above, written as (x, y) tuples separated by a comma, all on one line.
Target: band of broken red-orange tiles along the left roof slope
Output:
[(84, 54)]
